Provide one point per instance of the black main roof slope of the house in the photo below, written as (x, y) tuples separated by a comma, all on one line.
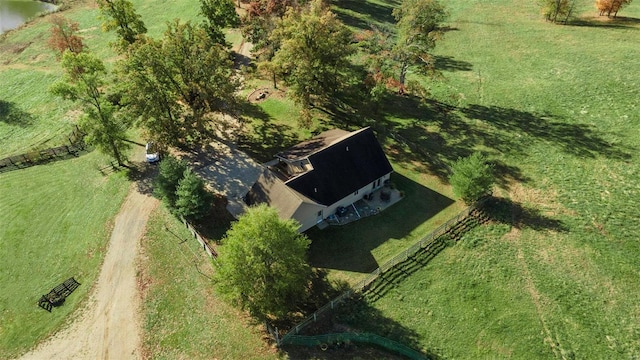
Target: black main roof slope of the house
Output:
[(342, 168)]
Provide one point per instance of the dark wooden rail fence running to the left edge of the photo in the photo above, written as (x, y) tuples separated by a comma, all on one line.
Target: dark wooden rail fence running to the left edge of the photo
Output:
[(37, 157)]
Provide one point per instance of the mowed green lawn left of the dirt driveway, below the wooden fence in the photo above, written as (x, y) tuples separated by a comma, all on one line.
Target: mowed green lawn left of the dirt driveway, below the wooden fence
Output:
[(55, 223)]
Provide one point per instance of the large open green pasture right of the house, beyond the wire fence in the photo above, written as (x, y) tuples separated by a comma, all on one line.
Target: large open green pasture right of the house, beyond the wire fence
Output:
[(562, 125)]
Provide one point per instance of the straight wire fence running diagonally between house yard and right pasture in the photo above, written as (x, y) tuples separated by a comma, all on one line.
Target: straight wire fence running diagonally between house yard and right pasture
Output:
[(423, 243)]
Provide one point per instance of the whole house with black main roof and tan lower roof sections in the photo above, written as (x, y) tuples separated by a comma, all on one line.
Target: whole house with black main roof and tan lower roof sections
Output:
[(311, 180)]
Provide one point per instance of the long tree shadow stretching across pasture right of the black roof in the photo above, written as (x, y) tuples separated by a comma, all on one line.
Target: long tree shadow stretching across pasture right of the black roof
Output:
[(429, 136)]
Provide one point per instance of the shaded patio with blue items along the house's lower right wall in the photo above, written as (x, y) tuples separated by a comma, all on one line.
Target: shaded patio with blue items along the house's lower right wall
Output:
[(372, 204)]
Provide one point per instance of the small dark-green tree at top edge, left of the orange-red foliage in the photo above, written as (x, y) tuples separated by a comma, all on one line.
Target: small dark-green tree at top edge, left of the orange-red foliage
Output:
[(218, 15)]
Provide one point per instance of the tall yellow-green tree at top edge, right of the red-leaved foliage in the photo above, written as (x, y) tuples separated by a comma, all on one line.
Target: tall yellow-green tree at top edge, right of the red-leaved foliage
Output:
[(419, 26)]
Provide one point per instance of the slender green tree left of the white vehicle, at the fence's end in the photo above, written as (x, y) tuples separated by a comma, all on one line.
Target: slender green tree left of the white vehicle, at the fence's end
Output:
[(84, 82)]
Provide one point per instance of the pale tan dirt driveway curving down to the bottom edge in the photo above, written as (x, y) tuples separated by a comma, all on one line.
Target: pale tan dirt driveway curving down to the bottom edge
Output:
[(109, 325)]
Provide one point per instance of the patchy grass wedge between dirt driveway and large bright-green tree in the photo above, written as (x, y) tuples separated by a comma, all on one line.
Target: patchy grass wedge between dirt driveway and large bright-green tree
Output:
[(183, 316)]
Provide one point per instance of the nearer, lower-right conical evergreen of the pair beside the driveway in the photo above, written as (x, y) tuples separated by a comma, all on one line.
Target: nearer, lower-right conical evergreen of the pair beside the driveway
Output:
[(193, 201)]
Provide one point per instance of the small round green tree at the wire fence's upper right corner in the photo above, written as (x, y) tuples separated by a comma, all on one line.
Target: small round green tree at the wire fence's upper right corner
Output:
[(472, 177)]
